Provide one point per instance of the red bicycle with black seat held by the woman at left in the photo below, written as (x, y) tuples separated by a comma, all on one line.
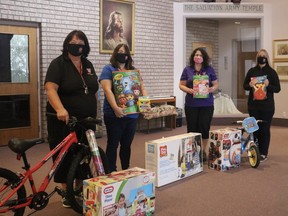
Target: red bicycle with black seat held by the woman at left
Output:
[(13, 197)]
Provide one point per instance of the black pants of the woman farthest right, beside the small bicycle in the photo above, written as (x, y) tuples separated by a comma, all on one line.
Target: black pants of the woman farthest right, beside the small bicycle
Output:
[(263, 134)]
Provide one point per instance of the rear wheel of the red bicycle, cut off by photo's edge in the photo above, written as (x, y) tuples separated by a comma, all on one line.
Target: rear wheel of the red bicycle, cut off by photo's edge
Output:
[(8, 181)]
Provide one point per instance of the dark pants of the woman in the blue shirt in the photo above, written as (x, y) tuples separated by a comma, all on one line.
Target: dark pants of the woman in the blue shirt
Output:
[(119, 131)]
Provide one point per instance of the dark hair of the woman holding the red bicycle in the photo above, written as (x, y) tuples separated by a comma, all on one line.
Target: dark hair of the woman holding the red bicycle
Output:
[(79, 34)]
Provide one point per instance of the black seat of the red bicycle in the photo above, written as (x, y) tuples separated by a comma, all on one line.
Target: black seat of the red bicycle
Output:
[(19, 146)]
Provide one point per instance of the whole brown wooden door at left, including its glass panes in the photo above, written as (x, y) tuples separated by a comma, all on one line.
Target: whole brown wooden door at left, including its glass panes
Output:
[(19, 103)]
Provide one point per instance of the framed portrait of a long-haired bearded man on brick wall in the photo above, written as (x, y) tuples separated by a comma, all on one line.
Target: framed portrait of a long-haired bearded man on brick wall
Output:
[(111, 12)]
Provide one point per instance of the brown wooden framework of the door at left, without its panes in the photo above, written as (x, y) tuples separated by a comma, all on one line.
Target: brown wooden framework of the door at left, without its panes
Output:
[(34, 130)]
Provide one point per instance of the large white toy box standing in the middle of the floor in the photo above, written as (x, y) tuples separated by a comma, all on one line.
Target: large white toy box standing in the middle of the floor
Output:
[(174, 158)]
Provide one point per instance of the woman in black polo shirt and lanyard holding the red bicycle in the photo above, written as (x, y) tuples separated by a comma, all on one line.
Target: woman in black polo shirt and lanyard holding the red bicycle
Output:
[(71, 85)]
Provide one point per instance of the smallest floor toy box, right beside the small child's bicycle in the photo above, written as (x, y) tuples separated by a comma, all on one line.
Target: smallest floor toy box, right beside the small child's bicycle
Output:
[(224, 149)]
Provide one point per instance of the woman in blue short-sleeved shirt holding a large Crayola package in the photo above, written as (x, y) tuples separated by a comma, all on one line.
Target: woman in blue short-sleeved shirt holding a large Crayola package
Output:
[(120, 127)]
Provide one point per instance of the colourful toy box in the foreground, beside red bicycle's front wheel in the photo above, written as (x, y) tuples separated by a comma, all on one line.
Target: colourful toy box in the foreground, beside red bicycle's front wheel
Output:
[(130, 192)]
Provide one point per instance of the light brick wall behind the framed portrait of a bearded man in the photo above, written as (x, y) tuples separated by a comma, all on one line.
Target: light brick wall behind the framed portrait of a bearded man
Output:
[(56, 18)]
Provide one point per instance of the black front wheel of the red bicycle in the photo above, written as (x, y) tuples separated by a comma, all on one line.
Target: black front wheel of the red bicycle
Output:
[(81, 169)]
